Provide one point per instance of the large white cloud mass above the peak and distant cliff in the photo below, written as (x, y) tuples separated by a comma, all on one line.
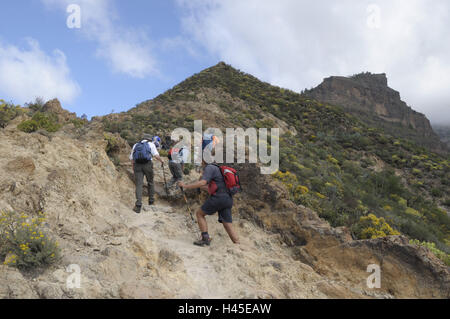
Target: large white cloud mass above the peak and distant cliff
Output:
[(296, 43)]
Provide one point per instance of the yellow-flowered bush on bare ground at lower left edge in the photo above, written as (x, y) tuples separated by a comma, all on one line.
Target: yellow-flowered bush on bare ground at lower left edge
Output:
[(24, 244)]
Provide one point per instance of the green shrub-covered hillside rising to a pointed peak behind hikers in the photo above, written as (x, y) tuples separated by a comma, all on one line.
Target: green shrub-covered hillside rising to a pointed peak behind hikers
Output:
[(331, 161)]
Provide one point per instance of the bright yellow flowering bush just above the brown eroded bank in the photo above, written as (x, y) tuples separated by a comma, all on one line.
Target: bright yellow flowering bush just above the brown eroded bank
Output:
[(371, 227)]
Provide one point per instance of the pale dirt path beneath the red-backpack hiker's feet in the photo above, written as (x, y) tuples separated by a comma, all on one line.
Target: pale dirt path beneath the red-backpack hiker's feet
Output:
[(259, 267)]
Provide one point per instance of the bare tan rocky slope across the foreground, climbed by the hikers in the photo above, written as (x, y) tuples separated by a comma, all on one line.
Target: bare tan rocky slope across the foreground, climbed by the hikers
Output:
[(287, 251)]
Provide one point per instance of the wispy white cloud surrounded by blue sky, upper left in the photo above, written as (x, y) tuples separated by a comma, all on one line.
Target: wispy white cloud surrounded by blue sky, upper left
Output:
[(126, 50)]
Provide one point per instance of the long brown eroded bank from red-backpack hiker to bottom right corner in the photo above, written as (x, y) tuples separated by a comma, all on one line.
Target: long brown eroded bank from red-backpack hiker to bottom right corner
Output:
[(407, 271)]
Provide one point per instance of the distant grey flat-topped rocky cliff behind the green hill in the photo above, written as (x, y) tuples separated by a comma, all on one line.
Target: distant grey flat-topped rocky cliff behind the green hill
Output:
[(368, 97)]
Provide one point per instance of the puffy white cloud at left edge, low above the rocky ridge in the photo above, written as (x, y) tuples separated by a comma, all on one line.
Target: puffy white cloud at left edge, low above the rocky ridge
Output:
[(29, 73)]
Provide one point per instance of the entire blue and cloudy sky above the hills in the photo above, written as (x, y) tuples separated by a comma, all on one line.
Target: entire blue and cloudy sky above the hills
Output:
[(128, 51)]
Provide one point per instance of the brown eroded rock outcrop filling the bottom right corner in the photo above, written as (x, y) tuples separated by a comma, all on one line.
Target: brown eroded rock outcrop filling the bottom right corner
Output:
[(405, 270)]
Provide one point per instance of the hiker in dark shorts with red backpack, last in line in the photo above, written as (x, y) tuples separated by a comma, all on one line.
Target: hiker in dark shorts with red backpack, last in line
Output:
[(223, 183)]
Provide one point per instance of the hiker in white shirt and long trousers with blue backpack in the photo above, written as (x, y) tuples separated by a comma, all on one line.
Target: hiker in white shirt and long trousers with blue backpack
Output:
[(142, 159)]
